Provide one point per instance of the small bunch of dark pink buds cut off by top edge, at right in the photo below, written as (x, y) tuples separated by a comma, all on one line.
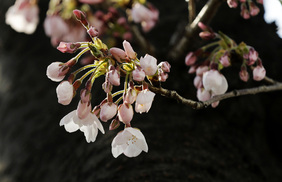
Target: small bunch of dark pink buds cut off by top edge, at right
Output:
[(248, 7)]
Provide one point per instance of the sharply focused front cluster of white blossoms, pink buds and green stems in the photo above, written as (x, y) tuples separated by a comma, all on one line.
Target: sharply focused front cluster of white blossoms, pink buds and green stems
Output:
[(114, 63)]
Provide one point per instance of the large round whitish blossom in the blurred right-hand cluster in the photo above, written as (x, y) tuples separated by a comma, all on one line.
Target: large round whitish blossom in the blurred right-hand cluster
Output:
[(215, 82)]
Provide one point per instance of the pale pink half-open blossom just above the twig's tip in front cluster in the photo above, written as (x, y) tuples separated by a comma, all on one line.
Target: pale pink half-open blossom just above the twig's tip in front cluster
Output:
[(149, 64)]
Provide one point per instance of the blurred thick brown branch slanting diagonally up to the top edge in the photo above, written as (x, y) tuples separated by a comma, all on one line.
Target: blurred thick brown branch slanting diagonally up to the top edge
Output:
[(191, 30)]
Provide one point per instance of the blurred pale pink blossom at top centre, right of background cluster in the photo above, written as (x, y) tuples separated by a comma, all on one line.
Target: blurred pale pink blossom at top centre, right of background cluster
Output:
[(147, 17)]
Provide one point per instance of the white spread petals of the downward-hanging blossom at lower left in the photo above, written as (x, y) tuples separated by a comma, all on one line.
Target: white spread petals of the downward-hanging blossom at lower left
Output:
[(89, 125)]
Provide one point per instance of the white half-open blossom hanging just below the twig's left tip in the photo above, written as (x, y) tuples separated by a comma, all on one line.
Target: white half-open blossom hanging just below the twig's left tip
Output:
[(144, 101)]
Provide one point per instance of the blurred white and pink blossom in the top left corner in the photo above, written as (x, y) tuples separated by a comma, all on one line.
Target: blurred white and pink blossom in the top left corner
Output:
[(23, 16)]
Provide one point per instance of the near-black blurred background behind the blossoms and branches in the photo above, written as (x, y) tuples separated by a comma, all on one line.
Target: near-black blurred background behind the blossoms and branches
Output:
[(238, 141)]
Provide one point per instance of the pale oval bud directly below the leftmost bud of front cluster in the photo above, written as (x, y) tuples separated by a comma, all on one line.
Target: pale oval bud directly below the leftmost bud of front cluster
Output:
[(64, 92)]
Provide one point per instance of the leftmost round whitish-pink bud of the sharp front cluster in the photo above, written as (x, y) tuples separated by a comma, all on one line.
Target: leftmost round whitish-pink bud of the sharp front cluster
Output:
[(56, 71)]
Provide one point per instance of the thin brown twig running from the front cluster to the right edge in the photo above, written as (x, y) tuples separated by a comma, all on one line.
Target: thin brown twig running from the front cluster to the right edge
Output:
[(200, 105)]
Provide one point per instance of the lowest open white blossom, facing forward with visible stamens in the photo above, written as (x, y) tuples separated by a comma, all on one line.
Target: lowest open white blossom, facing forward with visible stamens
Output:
[(131, 142)]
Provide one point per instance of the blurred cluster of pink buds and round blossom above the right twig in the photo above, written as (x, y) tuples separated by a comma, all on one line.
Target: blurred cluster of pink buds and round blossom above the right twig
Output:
[(207, 64)]
